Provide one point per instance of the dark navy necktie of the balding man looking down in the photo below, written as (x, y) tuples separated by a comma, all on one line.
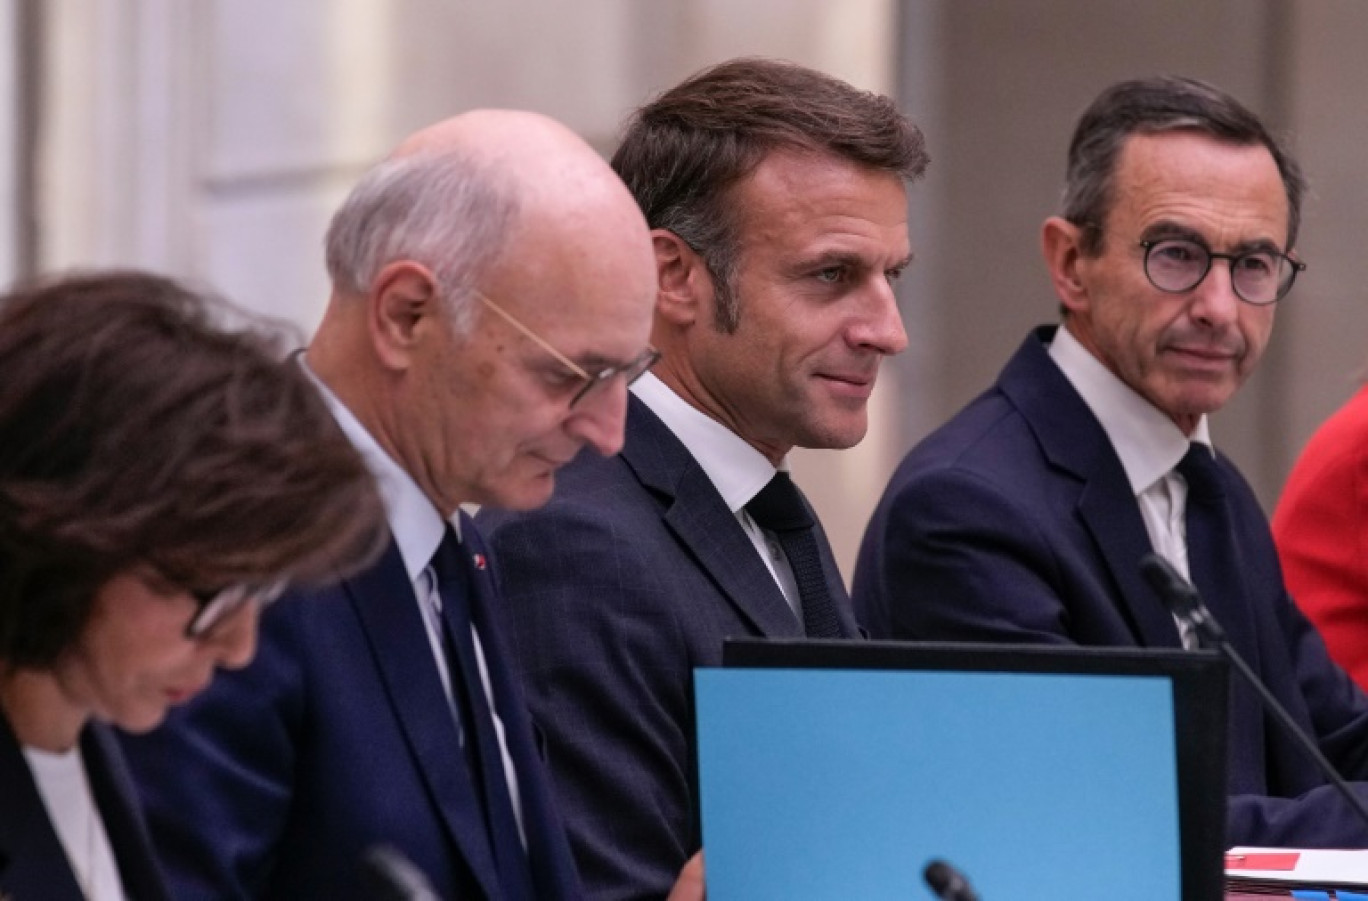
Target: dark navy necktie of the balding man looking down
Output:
[(452, 567)]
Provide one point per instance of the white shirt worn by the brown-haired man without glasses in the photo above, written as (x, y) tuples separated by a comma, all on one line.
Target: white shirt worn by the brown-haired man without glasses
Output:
[(737, 470)]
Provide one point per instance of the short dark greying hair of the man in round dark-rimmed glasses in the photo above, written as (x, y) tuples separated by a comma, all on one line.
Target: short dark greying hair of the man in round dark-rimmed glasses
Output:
[(1155, 106)]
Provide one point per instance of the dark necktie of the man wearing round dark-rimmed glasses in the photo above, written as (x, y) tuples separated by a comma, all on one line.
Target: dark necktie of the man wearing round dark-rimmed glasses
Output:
[(1211, 561)]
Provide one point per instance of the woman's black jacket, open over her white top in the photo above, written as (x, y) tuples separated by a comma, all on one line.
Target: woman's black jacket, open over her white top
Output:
[(34, 866)]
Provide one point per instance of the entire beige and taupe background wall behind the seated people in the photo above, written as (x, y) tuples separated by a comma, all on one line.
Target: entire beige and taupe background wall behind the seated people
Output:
[(213, 139)]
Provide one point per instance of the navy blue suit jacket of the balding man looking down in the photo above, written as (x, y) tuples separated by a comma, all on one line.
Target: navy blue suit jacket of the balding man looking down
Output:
[(336, 739)]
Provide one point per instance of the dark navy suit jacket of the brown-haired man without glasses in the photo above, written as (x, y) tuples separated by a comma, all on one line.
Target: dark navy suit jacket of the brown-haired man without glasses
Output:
[(629, 579)]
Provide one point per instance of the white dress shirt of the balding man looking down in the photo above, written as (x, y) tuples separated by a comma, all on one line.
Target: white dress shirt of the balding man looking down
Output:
[(418, 530)]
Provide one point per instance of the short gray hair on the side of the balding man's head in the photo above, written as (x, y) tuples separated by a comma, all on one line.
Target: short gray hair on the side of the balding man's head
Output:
[(438, 209)]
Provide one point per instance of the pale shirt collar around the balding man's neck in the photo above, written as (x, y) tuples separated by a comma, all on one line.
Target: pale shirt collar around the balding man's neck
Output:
[(415, 523)]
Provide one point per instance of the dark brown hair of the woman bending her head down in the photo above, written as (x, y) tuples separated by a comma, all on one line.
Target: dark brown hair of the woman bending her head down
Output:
[(136, 431)]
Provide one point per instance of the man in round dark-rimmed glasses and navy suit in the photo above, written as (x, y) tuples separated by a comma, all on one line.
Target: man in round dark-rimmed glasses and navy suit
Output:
[(1027, 516)]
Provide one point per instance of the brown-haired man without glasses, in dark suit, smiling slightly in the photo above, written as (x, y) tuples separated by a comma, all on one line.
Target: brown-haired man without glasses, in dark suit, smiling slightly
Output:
[(778, 206)]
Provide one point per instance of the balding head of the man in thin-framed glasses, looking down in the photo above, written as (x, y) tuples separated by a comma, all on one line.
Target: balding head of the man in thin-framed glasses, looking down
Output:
[(484, 274)]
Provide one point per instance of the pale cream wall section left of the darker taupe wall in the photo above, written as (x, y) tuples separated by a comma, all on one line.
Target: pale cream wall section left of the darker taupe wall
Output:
[(213, 139)]
